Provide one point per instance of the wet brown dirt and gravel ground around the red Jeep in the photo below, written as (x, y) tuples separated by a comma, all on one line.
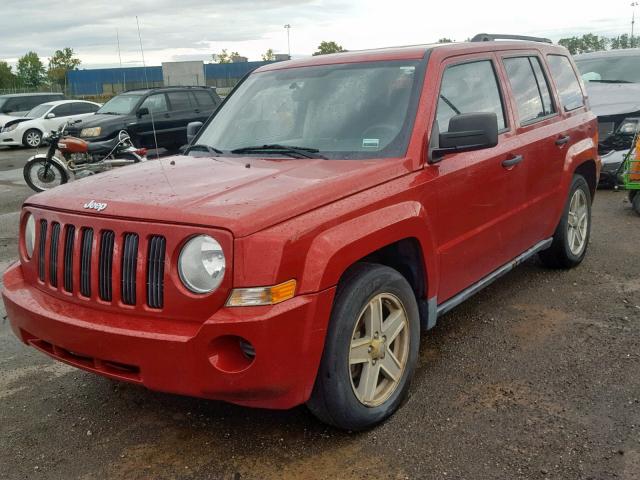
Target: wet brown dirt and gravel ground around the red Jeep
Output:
[(536, 377)]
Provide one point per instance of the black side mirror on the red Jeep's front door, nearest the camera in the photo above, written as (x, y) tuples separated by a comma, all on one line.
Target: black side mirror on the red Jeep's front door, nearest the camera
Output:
[(467, 131)]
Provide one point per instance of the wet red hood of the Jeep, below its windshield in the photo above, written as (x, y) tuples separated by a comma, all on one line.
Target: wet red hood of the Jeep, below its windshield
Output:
[(220, 192)]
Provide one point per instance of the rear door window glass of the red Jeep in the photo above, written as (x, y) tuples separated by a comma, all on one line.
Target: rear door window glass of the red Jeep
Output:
[(530, 88)]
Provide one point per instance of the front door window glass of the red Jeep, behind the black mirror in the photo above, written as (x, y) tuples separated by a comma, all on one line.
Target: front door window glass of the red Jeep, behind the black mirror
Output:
[(469, 88)]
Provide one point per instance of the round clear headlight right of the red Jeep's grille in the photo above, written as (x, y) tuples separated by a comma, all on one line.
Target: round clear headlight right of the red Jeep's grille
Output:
[(201, 264)]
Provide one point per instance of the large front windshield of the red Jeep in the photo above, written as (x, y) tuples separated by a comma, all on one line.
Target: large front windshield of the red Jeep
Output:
[(361, 110)]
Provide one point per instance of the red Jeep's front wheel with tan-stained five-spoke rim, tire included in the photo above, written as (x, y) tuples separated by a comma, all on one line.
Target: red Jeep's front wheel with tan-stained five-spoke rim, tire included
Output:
[(336, 399)]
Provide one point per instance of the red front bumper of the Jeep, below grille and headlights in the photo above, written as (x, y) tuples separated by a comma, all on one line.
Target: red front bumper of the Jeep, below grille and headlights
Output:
[(176, 356)]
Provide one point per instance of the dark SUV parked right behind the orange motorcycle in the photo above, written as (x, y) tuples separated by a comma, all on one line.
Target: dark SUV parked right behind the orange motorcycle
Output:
[(167, 109)]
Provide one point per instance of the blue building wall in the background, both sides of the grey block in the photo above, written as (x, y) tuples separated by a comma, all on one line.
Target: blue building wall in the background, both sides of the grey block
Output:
[(113, 80)]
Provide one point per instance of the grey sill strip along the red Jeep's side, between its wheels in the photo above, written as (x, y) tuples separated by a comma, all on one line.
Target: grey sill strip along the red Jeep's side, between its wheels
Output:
[(431, 312)]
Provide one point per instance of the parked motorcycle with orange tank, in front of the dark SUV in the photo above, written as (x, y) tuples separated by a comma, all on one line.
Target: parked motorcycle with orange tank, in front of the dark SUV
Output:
[(79, 158)]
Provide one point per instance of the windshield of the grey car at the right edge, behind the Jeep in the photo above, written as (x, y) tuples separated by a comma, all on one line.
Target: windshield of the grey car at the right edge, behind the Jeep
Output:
[(611, 69)]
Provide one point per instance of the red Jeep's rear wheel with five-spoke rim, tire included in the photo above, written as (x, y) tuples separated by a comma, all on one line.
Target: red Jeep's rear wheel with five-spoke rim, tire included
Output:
[(570, 242)]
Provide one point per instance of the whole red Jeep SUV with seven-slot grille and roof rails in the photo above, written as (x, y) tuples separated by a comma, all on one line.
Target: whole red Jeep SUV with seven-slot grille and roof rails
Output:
[(331, 210)]
